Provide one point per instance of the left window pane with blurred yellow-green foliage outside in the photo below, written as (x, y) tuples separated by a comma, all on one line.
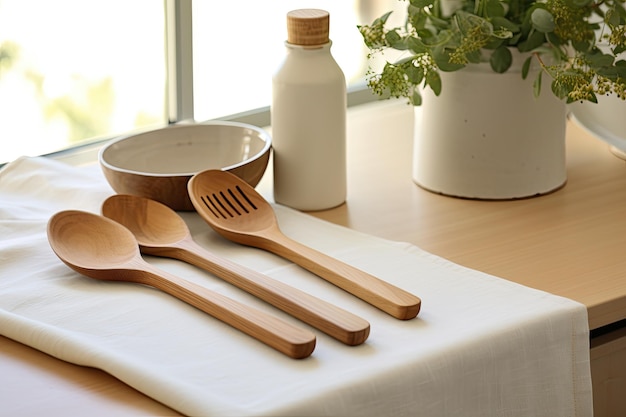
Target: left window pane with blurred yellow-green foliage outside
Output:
[(72, 70)]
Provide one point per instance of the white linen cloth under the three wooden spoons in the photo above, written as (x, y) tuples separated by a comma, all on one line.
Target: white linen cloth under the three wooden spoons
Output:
[(481, 346)]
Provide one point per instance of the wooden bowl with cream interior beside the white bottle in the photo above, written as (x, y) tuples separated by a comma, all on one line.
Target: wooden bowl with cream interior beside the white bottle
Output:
[(159, 163)]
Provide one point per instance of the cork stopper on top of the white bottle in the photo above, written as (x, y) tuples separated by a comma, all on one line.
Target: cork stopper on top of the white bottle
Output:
[(308, 27)]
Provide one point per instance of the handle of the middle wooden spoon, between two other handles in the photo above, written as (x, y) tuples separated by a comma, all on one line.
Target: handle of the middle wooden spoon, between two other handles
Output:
[(332, 320)]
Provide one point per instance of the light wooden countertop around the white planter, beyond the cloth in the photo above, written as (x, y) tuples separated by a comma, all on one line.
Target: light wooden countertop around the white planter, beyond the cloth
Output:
[(570, 242)]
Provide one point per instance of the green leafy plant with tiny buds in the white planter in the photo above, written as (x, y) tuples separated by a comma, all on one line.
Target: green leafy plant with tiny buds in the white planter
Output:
[(563, 36)]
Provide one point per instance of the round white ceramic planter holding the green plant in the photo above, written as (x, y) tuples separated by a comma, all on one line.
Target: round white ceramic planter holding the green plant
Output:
[(487, 137)]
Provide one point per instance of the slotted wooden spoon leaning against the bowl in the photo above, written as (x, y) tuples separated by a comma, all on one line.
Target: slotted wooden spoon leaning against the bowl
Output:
[(237, 212)]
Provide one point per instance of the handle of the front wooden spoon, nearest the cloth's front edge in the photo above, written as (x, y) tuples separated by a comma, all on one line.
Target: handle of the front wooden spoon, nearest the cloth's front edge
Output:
[(286, 338)]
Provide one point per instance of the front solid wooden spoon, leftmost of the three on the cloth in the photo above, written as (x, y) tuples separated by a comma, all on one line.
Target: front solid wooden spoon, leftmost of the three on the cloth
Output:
[(103, 249)]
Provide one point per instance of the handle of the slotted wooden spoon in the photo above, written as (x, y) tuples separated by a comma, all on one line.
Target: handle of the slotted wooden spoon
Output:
[(381, 294)]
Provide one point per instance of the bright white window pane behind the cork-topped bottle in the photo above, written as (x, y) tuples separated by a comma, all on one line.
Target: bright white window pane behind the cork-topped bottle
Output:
[(234, 59)]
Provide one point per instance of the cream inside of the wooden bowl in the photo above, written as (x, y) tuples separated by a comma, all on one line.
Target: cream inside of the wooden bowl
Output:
[(186, 149)]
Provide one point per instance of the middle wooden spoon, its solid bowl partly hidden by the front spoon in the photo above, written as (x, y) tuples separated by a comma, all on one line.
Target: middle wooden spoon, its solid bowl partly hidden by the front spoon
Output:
[(160, 231)]
